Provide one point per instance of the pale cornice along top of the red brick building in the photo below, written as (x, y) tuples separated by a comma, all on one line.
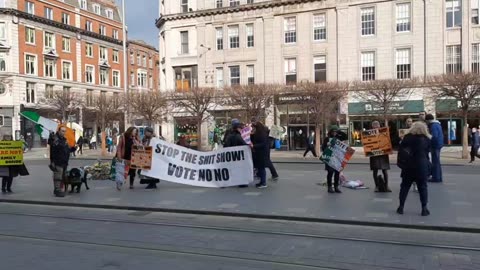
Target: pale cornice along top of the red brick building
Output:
[(27, 16)]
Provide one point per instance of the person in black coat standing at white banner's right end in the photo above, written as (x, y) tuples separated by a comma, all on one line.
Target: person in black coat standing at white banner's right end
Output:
[(260, 153)]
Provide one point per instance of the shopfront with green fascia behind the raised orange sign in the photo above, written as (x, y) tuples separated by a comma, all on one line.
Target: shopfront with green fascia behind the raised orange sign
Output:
[(362, 114)]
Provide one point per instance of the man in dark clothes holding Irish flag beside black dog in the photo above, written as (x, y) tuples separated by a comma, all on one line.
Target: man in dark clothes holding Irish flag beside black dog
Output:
[(59, 156)]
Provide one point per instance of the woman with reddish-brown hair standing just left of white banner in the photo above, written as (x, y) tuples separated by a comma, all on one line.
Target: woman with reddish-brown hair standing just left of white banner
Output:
[(124, 150)]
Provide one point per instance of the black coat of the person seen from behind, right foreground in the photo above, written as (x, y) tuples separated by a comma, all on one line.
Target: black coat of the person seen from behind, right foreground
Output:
[(420, 147)]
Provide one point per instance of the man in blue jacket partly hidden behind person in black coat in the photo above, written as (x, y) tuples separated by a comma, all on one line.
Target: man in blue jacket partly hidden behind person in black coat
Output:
[(437, 144)]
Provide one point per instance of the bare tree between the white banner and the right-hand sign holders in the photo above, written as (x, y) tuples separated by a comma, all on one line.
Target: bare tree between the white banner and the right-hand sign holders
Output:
[(321, 101)]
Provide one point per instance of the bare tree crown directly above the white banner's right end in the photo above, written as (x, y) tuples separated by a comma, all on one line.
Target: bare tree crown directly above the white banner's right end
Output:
[(252, 99)]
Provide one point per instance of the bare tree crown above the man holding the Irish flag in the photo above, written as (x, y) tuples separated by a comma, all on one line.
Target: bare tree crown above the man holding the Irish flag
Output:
[(65, 103)]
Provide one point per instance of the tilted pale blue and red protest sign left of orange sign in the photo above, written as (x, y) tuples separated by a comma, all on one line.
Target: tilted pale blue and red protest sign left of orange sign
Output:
[(337, 154)]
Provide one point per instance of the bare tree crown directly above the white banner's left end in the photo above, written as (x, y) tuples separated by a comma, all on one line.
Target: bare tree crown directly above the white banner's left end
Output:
[(152, 105)]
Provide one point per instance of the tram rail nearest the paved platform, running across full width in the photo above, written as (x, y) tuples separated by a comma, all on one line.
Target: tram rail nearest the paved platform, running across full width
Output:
[(249, 231)]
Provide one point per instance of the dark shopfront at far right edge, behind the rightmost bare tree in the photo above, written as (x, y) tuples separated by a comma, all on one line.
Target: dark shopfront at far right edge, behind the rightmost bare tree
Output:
[(450, 117)]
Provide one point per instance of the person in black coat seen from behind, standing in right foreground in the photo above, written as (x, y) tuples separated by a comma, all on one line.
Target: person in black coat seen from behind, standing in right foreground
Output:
[(417, 143)]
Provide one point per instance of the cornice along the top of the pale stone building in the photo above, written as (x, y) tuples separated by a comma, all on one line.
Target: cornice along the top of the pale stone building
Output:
[(225, 10)]
